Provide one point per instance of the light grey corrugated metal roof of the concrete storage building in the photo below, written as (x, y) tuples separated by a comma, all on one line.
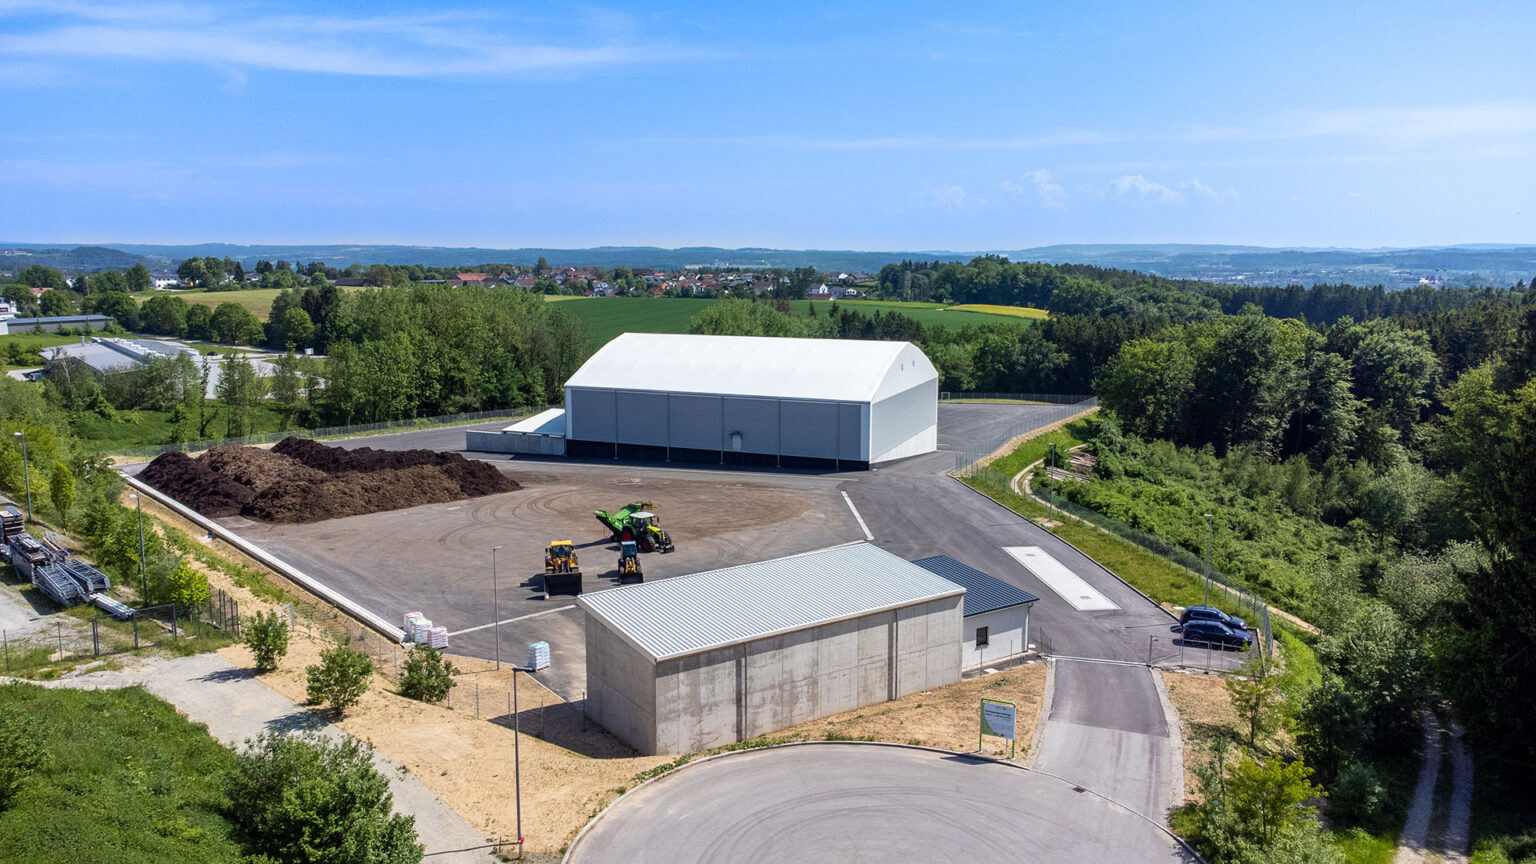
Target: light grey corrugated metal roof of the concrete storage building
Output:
[(738, 605)]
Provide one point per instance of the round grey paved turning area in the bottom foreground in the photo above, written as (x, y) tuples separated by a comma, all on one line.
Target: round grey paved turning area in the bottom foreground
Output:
[(853, 803)]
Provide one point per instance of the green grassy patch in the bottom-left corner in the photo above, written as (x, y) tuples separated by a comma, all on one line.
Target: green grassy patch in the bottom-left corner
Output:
[(130, 782)]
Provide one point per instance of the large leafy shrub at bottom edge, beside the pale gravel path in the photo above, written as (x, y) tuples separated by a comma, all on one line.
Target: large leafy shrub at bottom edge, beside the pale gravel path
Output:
[(319, 800)]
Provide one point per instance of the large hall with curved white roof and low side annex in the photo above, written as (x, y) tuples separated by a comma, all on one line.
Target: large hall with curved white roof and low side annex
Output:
[(744, 400)]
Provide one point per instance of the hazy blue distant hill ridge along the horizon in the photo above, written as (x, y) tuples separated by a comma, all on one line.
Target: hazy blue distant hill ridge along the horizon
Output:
[(1397, 268)]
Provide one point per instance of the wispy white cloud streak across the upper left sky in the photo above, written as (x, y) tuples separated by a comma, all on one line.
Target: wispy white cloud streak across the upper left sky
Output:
[(388, 45)]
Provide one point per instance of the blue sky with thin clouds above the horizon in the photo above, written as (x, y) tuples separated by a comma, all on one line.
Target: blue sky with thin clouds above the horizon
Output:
[(792, 125)]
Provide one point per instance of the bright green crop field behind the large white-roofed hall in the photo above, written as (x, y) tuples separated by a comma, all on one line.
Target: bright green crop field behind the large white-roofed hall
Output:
[(607, 317)]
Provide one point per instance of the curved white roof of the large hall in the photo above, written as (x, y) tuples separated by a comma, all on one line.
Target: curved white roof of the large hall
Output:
[(756, 367)]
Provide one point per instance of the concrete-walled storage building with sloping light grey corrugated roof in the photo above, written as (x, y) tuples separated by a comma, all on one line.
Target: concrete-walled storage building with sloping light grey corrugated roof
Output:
[(695, 662)]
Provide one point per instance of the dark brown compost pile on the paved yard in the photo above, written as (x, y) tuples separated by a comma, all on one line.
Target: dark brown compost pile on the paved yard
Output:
[(303, 482)]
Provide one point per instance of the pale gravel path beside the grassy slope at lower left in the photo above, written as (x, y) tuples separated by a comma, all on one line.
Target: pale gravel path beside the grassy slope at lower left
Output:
[(234, 706)]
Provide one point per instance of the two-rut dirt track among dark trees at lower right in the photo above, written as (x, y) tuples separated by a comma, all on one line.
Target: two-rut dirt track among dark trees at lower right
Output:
[(1417, 846)]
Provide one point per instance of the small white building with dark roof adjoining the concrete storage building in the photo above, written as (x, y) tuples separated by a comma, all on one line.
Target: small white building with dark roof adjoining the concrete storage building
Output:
[(995, 616)]
